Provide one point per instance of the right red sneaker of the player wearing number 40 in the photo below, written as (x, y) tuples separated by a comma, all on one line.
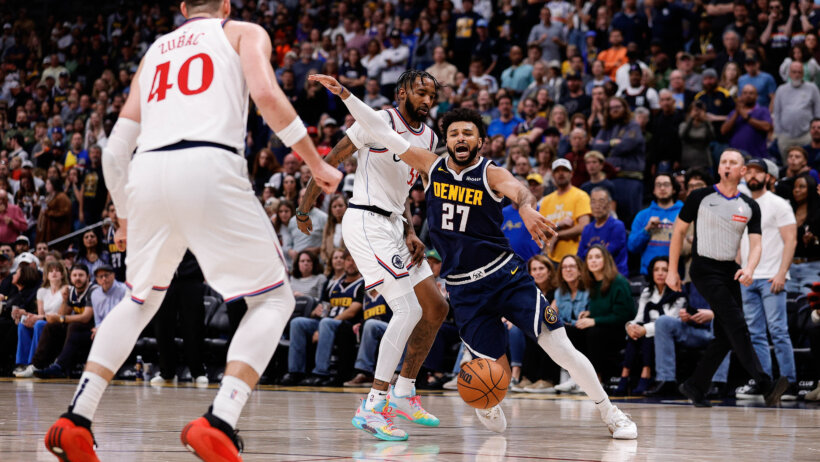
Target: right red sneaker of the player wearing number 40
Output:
[(212, 440)]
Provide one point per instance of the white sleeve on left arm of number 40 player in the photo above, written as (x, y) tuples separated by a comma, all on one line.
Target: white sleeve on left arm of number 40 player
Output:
[(117, 158)]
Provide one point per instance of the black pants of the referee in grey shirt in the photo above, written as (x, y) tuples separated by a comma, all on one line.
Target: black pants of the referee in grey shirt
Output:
[(715, 281)]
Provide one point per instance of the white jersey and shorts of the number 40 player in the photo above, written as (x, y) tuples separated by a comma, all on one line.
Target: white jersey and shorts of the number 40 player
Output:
[(194, 99)]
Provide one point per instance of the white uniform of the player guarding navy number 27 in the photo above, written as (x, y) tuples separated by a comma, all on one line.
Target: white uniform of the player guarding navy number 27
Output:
[(382, 180)]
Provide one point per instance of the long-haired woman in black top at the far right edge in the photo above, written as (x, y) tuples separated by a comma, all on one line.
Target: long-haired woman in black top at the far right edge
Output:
[(806, 206)]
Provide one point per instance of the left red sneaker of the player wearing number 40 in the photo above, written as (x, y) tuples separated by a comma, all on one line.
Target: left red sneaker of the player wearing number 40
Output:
[(70, 439)]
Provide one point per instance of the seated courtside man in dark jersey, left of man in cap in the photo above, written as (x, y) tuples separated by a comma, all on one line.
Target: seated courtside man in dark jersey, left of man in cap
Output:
[(67, 336)]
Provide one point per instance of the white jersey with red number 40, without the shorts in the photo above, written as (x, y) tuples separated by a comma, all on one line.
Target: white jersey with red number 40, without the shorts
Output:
[(192, 88)]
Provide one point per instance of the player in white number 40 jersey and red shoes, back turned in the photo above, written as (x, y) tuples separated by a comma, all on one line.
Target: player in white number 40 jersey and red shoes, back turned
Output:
[(187, 188)]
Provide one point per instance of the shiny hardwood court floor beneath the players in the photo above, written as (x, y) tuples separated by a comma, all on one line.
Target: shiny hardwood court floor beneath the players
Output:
[(141, 423)]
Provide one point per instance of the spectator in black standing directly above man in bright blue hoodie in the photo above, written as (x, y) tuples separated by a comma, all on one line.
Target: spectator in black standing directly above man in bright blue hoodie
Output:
[(664, 148)]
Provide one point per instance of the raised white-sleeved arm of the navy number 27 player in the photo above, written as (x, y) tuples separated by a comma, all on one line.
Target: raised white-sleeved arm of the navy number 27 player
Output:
[(418, 158)]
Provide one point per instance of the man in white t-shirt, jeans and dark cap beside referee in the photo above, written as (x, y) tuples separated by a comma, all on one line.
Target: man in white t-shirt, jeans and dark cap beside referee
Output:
[(764, 301)]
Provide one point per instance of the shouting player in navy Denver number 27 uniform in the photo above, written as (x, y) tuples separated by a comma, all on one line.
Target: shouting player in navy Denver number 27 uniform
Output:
[(485, 279)]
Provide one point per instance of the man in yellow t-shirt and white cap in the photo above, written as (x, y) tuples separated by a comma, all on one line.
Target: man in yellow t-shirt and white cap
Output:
[(568, 207)]
